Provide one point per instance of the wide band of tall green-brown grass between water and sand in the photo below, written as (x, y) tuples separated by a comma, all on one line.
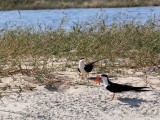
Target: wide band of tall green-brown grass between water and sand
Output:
[(139, 43)]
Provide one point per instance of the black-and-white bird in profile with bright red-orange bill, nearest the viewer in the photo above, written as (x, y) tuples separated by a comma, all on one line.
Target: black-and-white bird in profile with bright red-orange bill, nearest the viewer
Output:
[(118, 88)]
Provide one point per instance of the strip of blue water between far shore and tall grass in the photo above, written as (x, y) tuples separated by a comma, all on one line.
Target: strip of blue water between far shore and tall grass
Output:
[(27, 18)]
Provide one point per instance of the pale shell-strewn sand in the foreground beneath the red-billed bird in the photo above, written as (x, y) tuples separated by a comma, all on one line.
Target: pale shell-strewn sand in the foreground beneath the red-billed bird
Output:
[(84, 102)]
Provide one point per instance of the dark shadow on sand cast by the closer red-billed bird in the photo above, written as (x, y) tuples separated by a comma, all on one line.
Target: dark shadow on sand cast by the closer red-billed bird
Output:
[(132, 102)]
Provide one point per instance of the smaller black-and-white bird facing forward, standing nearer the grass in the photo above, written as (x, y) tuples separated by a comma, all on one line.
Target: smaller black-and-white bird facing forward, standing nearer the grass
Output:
[(84, 68)]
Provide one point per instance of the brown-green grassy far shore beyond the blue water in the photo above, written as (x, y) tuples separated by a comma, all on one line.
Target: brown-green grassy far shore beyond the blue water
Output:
[(62, 4)]
